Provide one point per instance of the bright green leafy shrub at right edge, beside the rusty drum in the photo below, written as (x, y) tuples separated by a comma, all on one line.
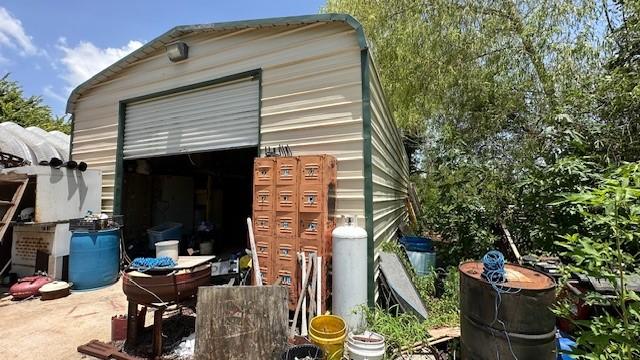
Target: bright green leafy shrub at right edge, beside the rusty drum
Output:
[(605, 247)]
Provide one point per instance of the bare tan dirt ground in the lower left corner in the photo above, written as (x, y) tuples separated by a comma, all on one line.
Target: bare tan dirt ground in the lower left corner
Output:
[(36, 329)]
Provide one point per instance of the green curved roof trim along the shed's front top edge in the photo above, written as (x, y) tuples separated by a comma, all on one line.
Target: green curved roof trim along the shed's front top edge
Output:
[(179, 31)]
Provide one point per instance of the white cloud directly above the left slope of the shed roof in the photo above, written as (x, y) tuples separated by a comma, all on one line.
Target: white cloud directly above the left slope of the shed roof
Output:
[(84, 60)]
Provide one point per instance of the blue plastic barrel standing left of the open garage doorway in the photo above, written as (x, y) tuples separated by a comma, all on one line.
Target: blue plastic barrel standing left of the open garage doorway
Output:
[(94, 258)]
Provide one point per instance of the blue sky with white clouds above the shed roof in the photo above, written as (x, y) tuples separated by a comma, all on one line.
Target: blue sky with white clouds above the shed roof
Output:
[(50, 47)]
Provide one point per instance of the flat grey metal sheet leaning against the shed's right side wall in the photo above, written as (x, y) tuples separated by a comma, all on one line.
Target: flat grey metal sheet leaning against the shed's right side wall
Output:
[(398, 280)]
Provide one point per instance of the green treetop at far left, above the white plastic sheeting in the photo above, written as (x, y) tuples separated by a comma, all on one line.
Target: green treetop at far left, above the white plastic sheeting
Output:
[(27, 111)]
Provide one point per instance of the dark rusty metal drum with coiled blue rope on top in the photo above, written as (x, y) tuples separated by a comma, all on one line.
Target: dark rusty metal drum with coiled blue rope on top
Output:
[(518, 321)]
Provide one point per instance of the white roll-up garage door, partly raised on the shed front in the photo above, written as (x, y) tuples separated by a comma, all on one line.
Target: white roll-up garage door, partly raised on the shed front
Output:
[(212, 118)]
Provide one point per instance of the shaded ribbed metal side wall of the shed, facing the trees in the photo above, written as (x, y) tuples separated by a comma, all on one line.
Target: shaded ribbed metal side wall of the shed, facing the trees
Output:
[(390, 166)]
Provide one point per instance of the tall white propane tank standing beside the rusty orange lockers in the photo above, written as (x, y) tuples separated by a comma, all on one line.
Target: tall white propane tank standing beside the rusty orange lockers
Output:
[(349, 273)]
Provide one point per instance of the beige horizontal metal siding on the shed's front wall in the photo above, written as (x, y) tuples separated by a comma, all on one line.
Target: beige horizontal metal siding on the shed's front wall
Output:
[(311, 96)]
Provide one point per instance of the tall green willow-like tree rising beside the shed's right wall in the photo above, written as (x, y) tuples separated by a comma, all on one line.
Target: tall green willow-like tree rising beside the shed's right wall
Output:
[(499, 91)]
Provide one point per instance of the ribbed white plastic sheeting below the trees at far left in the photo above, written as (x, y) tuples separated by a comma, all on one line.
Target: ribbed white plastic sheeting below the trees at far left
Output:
[(34, 144)]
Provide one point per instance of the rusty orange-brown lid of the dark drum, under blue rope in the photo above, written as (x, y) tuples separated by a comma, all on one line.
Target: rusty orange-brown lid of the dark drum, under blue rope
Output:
[(518, 277)]
